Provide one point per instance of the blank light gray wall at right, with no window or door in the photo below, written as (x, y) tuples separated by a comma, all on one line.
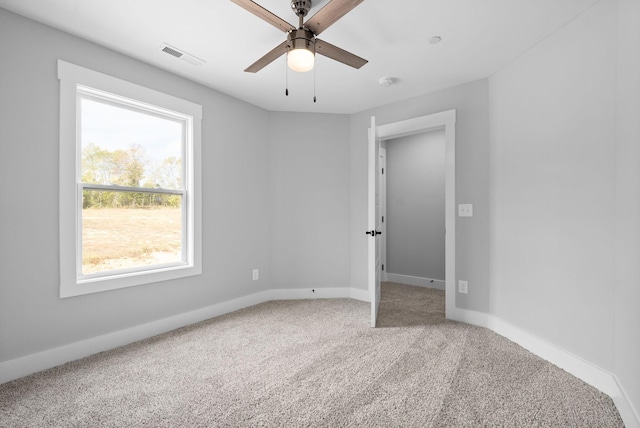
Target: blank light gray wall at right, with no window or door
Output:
[(565, 188)]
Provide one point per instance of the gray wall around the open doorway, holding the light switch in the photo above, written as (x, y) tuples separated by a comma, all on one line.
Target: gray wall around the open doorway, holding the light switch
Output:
[(471, 102)]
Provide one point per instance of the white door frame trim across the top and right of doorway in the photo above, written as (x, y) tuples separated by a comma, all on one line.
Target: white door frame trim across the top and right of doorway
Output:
[(444, 120)]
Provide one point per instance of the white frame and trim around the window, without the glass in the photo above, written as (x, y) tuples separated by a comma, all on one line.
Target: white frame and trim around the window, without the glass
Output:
[(72, 282)]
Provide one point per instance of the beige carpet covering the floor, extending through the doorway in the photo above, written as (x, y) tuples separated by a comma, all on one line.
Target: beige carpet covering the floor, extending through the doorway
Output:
[(313, 363)]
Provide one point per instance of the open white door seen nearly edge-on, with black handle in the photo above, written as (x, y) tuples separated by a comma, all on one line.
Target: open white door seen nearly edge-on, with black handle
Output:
[(373, 234)]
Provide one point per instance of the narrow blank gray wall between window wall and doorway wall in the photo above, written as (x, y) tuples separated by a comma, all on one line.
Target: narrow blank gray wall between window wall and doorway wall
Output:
[(309, 201)]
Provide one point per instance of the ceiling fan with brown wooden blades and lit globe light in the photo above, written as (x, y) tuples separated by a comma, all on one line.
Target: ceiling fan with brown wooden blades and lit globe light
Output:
[(302, 43)]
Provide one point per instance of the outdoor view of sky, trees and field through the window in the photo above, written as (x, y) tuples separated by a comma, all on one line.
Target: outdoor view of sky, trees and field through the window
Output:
[(132, 185)]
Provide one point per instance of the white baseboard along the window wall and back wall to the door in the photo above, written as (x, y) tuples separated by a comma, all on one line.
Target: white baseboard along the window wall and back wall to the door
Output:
[(33, 363)]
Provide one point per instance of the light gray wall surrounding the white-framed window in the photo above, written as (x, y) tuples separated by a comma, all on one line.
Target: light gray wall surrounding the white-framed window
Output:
[(235, 197)]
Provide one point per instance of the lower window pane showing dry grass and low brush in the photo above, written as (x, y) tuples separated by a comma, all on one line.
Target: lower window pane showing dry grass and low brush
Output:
[(123, 230)]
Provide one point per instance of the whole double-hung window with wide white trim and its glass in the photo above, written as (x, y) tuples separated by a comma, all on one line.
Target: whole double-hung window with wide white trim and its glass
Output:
[(129, 184)]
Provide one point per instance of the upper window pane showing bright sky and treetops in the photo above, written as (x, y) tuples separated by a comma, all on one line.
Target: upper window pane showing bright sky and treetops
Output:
[(129, 147)]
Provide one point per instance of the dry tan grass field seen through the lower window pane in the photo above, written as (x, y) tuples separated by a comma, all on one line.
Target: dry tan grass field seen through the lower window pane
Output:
[(116, 238)]
